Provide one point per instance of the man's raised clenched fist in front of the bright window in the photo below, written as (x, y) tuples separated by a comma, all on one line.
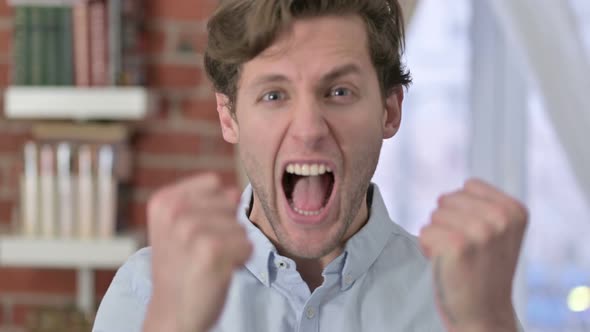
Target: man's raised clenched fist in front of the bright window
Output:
[(474, 240)]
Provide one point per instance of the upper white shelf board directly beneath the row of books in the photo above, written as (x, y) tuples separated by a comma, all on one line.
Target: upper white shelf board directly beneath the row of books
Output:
[(76, 103)]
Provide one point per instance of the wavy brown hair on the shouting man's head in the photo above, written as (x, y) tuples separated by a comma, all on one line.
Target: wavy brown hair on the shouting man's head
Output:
[(239, 30)]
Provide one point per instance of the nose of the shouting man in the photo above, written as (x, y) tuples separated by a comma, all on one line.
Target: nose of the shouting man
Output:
[(308, 124)]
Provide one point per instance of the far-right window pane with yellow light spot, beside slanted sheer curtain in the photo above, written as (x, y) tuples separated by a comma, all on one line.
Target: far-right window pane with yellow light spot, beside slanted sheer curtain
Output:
[(558, 255)]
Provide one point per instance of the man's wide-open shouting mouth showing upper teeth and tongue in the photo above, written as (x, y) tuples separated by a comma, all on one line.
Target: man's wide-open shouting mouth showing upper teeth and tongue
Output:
[(308, 187)]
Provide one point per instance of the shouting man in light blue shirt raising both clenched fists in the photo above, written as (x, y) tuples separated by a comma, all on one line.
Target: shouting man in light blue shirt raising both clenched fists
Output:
[(308, 89)]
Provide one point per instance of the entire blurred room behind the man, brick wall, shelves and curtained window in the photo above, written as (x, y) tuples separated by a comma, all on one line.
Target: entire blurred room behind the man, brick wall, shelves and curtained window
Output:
[(104, 101)]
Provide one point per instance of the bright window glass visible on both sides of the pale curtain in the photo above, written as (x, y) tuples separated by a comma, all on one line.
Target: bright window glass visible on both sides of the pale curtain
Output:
[(430, 156)]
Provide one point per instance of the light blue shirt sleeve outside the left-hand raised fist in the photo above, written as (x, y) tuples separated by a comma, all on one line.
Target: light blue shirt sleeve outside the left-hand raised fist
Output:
[(123, 307)]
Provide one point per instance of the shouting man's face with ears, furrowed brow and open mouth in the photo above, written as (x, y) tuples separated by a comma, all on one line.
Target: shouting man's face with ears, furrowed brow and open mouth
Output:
[(309, 124)]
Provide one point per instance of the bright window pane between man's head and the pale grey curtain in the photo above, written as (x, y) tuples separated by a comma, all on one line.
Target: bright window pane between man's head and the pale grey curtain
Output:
[(428, 156)]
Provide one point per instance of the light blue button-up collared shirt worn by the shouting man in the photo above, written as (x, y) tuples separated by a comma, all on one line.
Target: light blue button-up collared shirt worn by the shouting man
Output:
[(381, 282)]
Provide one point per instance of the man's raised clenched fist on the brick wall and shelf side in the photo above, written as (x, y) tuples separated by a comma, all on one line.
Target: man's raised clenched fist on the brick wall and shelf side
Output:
[(197, 244)]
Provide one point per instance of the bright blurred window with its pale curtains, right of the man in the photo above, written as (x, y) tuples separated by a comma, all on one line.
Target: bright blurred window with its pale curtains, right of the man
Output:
[(498, 93)]
